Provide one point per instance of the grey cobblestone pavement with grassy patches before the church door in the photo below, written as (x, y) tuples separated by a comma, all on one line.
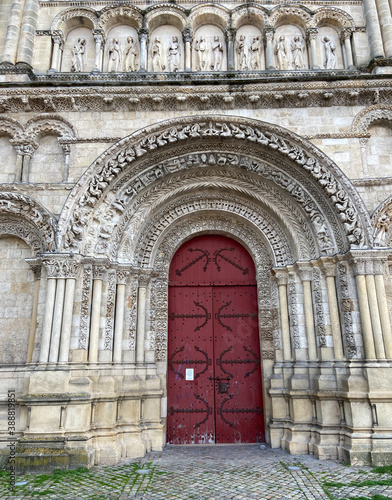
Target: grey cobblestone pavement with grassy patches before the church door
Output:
[(209, 473)]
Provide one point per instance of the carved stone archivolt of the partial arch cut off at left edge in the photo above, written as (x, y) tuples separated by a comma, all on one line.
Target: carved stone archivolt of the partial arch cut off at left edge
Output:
[(20, 214)]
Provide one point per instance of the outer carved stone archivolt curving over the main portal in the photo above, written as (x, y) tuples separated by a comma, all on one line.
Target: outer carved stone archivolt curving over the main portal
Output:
[(124, 158)]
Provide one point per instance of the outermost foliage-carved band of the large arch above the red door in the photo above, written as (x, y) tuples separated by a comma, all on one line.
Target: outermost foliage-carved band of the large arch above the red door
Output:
[(103, 173)]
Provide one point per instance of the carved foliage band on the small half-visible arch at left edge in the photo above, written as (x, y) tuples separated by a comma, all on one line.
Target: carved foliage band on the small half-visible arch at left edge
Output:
[(22, 206)]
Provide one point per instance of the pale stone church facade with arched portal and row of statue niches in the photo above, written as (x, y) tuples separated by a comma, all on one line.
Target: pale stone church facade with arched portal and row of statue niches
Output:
[(127, 130)]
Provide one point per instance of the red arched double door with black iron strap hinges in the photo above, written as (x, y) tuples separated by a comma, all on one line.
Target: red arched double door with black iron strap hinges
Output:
[(214, 372)]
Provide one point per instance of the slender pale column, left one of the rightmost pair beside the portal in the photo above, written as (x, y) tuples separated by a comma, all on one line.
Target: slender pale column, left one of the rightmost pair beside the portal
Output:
[(367, 332)]
